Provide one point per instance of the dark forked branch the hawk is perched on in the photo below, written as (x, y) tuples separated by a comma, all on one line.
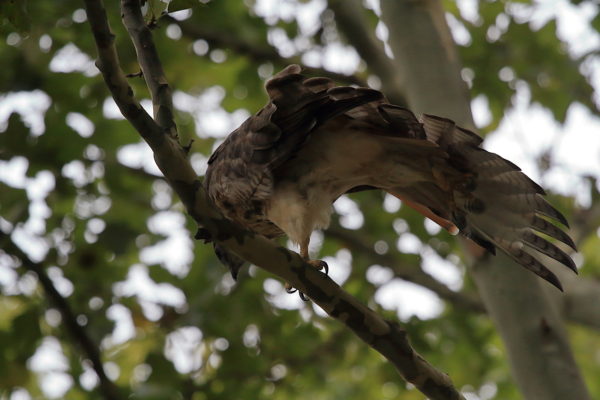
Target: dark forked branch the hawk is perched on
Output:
[(387, 337)]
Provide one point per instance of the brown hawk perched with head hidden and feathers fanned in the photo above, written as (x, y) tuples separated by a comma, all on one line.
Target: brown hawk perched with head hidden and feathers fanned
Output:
[(282, 169)]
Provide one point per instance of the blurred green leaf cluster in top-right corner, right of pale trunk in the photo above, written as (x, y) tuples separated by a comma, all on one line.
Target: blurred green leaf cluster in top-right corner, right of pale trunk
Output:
[(504, 50)]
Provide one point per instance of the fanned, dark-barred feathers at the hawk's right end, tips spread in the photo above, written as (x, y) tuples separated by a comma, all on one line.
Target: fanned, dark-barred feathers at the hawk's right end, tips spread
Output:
[(489, 200)]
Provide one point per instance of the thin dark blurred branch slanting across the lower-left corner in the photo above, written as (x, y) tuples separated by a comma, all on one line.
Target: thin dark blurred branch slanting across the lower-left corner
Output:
[(108, 389)]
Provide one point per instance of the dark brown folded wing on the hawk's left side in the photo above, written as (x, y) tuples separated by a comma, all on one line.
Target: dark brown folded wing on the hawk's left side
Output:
[(240, 177)]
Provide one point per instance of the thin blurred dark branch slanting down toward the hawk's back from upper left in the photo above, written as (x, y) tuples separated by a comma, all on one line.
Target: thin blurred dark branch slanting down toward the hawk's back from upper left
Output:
[(228, 40)]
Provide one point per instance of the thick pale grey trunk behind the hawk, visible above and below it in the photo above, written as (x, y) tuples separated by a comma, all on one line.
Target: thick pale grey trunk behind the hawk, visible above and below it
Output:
[(533, 332)]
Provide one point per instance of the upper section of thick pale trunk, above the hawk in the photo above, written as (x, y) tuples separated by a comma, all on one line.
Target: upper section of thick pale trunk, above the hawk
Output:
[(426, 60)]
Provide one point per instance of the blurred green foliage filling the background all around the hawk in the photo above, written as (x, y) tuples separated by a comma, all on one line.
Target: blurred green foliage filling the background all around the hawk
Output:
[(96, 220)]
